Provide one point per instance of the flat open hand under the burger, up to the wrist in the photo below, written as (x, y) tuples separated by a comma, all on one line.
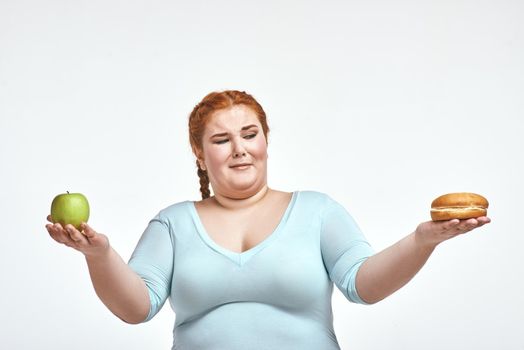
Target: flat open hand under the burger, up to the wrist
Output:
[(431, 233)]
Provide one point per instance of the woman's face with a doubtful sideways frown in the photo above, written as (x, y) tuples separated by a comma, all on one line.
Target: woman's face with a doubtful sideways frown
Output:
[(234, 136)]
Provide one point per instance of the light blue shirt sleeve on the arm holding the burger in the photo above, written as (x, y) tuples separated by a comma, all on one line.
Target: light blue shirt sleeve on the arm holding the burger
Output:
[(344, 249)]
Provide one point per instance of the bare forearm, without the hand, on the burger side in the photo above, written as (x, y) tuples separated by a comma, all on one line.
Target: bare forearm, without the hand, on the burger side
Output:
[(387, 271)]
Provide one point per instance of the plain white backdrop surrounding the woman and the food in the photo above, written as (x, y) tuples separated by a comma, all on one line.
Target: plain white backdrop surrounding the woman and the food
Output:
[(383, 105)]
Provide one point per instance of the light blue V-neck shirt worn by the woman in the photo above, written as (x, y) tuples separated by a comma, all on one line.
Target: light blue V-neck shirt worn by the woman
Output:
[(276, 295)]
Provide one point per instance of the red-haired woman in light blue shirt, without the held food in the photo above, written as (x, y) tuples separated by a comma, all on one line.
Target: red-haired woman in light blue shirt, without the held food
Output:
[(249, 267)]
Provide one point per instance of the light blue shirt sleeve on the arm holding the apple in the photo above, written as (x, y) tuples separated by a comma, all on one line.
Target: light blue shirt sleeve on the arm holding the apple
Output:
[(152, 260)]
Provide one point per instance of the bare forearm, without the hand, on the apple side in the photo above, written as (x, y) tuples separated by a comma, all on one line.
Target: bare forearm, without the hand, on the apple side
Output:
[(119, 287)]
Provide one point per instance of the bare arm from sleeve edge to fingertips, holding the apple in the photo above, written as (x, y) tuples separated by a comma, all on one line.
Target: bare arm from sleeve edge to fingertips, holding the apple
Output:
[(121, 289)]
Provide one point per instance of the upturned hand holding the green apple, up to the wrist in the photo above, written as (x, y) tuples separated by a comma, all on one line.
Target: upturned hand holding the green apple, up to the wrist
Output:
[(86, 241)]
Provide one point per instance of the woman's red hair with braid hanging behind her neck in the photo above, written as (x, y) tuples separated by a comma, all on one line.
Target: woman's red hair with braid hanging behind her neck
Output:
[(204, 110)]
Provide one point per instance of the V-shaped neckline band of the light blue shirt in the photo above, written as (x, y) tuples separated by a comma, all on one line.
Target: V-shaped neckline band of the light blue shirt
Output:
[(241, 258)]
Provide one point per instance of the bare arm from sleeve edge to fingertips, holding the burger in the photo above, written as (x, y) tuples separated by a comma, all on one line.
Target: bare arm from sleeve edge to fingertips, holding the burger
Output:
[(387, 271)]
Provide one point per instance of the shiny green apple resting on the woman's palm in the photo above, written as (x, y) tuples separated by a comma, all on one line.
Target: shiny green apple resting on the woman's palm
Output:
[(70, 208)]
